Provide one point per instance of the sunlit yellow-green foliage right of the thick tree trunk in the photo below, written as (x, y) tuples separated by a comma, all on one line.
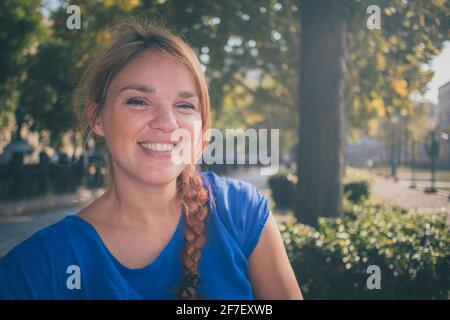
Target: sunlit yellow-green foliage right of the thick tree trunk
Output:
[(387, 65)]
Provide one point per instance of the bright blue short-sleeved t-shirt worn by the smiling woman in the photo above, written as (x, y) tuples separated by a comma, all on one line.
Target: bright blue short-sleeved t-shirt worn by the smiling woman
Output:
[(68, 260)]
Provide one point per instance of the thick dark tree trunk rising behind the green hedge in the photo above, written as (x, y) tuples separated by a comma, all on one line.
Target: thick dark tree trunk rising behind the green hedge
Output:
[(322, 85)]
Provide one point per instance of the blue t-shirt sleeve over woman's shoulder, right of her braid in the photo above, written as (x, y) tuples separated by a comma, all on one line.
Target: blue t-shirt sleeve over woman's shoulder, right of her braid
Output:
[(241, 207)]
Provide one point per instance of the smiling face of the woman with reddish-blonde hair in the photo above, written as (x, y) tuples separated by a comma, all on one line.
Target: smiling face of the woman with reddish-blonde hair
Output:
[(146, 102)]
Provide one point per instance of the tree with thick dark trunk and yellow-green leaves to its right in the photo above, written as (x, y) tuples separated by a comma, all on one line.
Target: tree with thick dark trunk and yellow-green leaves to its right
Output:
[(385, 72)]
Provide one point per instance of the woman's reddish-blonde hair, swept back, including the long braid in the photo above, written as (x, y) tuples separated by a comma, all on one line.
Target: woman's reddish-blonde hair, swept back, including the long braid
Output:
[(129, 39)]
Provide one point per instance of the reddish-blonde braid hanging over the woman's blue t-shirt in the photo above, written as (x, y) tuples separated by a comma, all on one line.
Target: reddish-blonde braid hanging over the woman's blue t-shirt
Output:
[(194, 197)]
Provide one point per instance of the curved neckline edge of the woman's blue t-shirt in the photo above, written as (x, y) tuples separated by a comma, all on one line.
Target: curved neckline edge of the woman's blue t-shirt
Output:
[(91, 229)]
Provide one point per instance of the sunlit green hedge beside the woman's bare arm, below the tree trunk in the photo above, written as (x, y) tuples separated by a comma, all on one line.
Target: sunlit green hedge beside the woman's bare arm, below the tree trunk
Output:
[(412, 252)]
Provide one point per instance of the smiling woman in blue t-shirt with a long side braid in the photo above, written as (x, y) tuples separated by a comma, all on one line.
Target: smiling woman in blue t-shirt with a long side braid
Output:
[(161, 230)]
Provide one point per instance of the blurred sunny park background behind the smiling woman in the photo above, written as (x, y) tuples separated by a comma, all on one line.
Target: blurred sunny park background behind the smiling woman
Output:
[(360, 93)]
